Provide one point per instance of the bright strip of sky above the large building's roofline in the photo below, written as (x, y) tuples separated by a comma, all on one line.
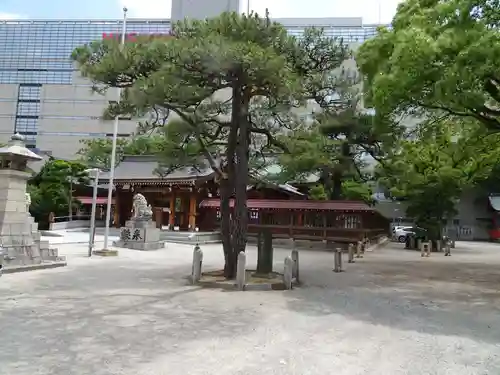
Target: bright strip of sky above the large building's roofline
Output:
[(372, 11)]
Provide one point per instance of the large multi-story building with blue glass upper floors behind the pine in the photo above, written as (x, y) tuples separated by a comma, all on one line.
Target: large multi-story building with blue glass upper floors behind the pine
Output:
[(43, 96)]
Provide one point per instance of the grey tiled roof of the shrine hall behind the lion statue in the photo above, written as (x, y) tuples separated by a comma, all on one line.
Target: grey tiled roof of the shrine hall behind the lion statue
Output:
[(143, 168)]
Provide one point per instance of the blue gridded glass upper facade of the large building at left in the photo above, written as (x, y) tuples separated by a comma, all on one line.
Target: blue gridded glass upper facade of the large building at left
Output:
[(44, 47)]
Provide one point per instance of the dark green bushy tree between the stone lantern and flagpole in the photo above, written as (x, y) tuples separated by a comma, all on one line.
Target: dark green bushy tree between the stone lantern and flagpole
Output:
[(50, 189)]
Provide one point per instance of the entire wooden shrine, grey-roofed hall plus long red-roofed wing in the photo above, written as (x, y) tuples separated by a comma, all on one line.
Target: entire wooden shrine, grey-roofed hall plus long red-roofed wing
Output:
[(187, 200)]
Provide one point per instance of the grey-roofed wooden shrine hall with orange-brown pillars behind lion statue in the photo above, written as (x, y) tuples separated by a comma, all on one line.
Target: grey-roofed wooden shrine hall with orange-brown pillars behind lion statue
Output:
[(176, 197)]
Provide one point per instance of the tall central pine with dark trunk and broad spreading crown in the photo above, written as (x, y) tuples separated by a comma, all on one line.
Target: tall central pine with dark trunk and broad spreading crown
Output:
[(215, 75)]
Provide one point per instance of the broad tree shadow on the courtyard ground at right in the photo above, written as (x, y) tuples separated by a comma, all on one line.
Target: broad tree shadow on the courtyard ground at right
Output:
[(439, 297)]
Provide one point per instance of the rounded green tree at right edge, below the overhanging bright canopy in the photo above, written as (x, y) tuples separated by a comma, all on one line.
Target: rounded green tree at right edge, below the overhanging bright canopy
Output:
[(431, 171)]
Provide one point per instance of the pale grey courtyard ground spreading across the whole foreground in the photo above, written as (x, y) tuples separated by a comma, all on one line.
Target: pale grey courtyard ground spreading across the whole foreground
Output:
[(390, 313)]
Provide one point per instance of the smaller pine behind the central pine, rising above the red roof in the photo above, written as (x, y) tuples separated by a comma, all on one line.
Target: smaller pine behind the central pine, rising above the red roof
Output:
[(335, 147)]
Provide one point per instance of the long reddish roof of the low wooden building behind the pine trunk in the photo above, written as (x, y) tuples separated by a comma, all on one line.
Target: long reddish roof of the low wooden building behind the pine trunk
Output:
[(302, 205)]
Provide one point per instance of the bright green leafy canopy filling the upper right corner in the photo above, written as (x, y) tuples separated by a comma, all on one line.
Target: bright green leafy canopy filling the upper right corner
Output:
[(438, 55)]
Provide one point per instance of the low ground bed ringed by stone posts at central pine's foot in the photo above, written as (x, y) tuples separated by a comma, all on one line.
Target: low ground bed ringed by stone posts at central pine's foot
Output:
[(254, 281)]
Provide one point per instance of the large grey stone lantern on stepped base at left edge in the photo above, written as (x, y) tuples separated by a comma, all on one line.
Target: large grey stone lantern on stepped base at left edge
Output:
[(19, 236)]
